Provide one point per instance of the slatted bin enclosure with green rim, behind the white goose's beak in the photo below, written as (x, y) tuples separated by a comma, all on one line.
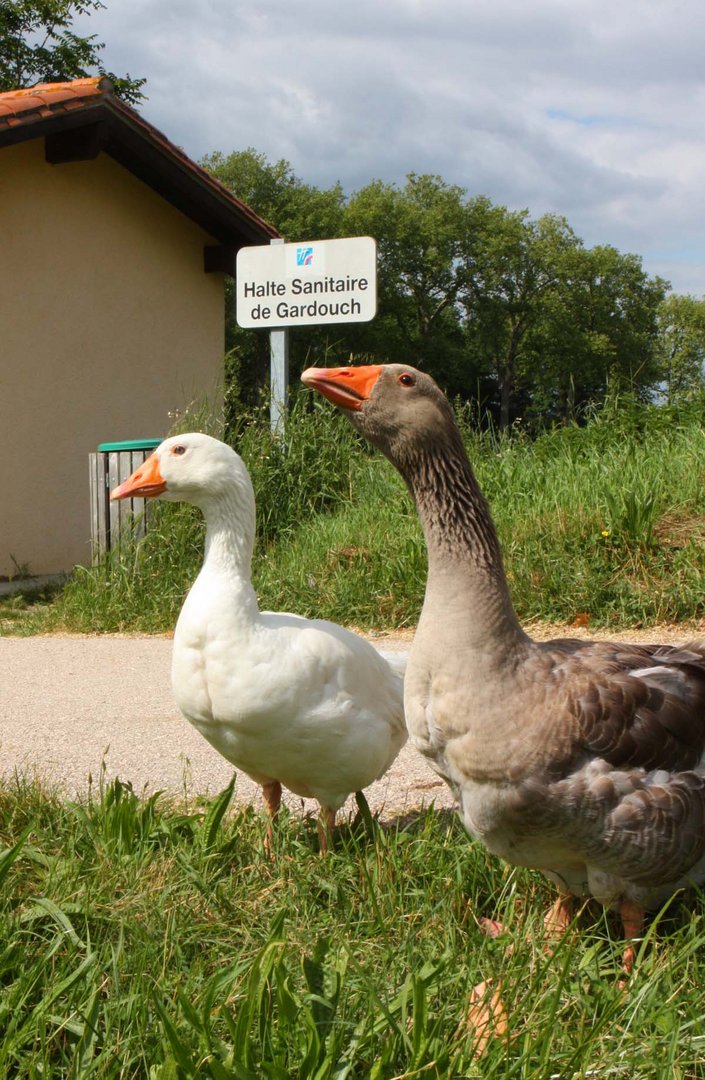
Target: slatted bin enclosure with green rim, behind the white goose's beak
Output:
[(109, 467)]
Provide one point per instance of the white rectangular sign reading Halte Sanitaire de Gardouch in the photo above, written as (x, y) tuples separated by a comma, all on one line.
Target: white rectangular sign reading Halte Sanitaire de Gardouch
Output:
[(307, 285)]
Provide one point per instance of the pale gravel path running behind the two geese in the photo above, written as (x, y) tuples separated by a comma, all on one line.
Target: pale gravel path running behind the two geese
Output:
[(72, 706)]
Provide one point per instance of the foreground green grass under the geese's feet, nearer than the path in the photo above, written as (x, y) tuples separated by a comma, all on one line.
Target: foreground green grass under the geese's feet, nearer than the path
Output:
[(146, 939)]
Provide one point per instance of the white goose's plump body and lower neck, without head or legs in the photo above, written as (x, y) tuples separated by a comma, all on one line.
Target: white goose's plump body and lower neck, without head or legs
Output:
[(286, 699)]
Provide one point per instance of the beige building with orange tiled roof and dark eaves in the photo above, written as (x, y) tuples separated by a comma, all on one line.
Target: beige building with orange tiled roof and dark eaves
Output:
[(114, 251)]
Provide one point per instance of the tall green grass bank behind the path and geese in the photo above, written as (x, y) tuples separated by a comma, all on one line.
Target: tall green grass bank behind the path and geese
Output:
[(604, 524)]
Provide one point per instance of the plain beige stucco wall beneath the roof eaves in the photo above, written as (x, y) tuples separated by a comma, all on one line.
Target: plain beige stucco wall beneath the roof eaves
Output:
[(107, 325)]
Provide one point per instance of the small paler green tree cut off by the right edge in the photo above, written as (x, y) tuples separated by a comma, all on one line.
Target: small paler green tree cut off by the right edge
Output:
[(681, 347)]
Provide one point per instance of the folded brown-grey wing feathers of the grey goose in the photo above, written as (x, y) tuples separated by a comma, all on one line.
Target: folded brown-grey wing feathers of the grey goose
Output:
[(630, 796)]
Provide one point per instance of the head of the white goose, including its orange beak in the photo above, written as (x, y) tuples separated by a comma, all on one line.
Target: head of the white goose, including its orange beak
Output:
[(192, 468)]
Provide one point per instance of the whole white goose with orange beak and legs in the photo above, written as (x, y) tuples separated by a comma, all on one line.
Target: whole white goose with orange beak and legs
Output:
[(293, 703)]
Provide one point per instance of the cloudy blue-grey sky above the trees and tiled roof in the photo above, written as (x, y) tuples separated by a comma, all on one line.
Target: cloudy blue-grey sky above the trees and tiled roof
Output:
[(591, 110)]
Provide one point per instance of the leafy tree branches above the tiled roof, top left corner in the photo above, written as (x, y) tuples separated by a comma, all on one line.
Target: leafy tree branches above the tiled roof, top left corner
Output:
[(37, 45)]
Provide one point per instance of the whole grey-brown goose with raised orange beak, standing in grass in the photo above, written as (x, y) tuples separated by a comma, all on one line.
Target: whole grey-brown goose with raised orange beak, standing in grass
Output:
[(584, 760)]
